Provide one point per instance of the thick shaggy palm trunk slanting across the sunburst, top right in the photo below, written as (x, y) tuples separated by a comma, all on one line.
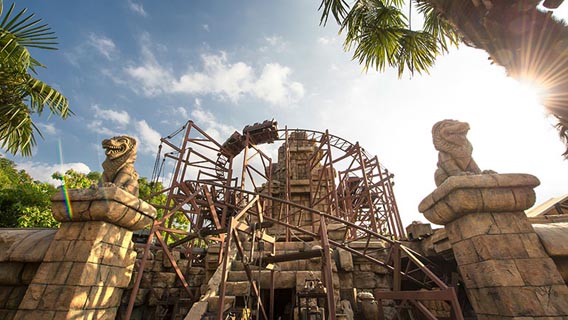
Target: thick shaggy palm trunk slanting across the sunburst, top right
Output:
[(529, 43)]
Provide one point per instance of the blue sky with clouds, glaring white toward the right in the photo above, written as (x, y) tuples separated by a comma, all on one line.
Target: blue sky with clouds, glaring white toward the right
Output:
[(143, 68)]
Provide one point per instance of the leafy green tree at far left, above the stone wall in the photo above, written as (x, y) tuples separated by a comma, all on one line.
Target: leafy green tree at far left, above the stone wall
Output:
[(24, 203)]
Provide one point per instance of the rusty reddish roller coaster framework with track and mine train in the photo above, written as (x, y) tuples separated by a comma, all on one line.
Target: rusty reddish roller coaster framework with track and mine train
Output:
[(219, 198)]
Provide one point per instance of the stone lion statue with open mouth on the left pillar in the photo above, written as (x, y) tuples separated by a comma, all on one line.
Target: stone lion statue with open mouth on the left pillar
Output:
[(118, 166)]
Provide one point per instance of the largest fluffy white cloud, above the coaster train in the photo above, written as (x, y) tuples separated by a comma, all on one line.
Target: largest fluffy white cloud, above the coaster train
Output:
[(218, 77)]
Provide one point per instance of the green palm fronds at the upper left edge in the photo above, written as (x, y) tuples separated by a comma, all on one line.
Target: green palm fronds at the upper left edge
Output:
[(21, 94)]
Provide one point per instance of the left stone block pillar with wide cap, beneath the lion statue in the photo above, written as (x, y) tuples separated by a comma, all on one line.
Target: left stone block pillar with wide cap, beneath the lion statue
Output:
[(90, 260)]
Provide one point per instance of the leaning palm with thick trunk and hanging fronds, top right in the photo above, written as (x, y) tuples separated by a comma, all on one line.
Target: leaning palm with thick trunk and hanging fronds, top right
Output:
[(530, 44)]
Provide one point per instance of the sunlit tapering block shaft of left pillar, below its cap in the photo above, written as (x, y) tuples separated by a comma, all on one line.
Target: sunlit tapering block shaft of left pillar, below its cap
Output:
[(85, 267)]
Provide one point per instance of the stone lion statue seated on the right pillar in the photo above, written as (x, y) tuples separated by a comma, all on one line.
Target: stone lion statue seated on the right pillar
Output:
[(455, 150)]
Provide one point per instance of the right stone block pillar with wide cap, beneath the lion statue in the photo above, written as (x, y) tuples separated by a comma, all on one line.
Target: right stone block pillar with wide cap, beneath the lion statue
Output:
[(506, 271)]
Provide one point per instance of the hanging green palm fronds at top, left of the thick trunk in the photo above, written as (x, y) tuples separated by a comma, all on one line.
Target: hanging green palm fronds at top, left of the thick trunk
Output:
[(379, 33)]
